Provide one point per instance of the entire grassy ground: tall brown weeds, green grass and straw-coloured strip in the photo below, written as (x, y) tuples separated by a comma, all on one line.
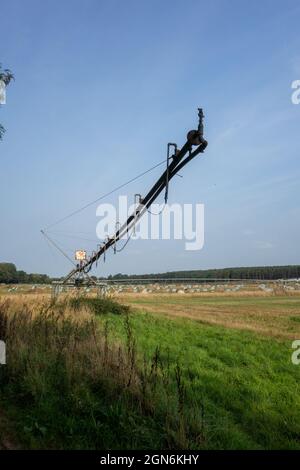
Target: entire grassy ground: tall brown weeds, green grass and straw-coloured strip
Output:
[(195, 371)]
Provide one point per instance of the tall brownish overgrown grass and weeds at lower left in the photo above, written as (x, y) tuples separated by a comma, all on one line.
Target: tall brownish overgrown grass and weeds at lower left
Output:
[(63, 386)]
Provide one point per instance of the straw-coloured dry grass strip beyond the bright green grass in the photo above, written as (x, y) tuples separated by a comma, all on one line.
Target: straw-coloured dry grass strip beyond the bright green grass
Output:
[(261, 313)]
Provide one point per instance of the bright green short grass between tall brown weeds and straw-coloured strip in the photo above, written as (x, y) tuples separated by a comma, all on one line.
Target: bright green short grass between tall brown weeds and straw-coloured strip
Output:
[(247, 386)]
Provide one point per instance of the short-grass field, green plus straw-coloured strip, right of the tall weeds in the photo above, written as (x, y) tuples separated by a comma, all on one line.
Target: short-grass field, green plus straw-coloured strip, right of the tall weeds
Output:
[(249, 387)]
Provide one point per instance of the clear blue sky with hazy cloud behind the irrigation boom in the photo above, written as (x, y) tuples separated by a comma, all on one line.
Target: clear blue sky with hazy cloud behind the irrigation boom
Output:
[(100, 89)]
